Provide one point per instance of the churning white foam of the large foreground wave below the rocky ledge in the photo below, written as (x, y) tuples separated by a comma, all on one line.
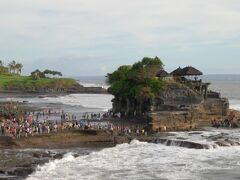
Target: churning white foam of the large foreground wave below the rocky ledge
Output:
[(141, 161)]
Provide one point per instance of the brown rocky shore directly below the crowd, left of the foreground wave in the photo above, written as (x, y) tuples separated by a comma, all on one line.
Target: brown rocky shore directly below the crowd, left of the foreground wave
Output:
[(20, 157)]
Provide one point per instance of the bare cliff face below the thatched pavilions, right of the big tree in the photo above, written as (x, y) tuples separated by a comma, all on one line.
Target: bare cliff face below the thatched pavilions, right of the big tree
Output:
[(181, 108)]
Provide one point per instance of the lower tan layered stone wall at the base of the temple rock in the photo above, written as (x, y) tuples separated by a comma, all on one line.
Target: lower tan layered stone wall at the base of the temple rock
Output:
[(191, 117)]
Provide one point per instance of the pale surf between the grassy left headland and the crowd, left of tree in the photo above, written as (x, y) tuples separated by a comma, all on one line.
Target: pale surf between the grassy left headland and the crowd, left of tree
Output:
[(72, 103)]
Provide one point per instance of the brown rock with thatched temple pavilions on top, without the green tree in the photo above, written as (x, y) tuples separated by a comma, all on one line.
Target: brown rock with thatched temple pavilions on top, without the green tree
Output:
[(185, 101)]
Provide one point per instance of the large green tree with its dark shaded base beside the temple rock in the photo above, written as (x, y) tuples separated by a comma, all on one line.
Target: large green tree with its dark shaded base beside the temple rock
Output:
[(135, 86)]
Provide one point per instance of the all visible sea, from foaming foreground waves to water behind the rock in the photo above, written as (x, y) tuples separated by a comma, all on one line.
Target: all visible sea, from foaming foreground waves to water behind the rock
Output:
[(147, 161)]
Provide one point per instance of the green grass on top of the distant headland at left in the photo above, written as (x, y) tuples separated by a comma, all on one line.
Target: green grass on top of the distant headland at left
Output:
[(14, 82)]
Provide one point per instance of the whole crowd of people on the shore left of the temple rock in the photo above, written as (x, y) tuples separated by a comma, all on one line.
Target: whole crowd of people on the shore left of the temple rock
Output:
[(23, 124)]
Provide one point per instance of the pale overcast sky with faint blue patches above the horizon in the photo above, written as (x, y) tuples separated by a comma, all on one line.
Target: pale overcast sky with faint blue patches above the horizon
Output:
[(93, 37)]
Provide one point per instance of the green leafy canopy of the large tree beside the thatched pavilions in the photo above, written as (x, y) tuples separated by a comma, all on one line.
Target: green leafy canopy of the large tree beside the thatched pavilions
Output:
[(138, 81)]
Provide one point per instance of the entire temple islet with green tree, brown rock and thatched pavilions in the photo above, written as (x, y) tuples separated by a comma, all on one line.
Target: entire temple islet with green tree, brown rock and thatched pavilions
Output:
[(179, 100)]
